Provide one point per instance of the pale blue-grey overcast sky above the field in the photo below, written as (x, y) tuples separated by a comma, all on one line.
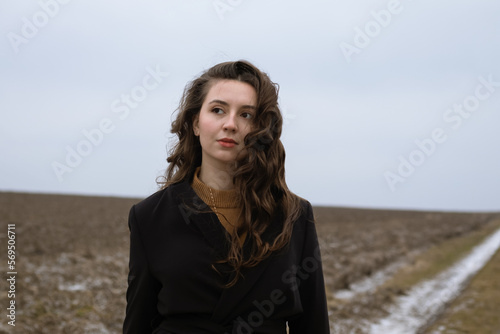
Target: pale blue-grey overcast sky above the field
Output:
[(387, 104)]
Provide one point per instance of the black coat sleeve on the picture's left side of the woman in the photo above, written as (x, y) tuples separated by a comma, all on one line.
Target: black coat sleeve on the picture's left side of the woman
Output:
[(143, 288)]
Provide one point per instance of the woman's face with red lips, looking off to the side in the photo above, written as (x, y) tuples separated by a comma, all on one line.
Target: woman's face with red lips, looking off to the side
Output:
[(224, 120)]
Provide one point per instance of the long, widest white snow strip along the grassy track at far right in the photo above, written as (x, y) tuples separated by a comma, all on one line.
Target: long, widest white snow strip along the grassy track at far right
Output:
[(426, 300)]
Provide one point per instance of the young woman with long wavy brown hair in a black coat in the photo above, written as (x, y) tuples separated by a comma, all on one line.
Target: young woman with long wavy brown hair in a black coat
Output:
[(225, 247)]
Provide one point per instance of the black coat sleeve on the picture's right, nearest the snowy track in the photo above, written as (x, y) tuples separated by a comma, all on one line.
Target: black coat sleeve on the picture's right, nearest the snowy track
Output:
[(314, 318)]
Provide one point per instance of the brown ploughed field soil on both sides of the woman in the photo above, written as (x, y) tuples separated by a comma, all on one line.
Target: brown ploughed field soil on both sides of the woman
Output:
[(72, 257)]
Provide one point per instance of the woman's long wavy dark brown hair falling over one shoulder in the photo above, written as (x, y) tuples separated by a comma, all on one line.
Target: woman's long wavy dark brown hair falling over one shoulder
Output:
[(258, 176)]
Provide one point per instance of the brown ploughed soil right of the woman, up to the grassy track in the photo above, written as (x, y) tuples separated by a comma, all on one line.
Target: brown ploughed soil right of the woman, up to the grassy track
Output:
[(357, 243)]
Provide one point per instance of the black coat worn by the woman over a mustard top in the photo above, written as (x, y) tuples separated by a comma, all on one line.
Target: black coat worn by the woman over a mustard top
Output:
[(175, 240)]
